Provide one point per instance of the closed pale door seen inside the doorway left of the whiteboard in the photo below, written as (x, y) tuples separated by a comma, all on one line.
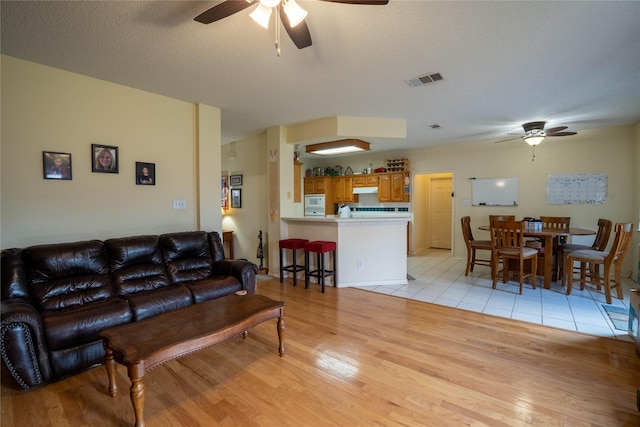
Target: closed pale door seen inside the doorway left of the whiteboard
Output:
[(440, 212)]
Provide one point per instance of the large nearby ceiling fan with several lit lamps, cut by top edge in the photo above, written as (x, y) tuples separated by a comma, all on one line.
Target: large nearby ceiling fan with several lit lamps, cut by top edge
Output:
[(291, 15)]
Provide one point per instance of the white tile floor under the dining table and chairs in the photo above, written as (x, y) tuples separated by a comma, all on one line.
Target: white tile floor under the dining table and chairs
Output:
[(440, 279)]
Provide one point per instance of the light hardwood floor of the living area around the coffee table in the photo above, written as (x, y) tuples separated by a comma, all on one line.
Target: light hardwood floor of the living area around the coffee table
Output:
[(358, 358)]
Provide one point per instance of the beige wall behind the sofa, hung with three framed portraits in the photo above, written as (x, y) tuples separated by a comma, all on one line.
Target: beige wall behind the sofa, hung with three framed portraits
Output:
[(48, 109)]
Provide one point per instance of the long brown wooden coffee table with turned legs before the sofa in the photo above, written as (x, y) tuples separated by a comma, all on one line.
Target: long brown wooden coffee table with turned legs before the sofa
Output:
[(141, 346)]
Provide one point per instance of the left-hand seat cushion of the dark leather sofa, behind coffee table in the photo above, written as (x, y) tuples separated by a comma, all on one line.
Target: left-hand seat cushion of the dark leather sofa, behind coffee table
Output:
[(81, 324)]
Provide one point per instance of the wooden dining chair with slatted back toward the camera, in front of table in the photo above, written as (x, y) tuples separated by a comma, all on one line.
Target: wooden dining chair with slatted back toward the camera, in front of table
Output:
[(507, 243)]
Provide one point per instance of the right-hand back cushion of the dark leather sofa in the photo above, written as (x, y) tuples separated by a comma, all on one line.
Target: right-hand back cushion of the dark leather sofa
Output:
[(187, 256)]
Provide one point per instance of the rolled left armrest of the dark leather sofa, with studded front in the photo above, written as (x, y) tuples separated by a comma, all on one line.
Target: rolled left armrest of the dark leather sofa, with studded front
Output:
[(24, 352)]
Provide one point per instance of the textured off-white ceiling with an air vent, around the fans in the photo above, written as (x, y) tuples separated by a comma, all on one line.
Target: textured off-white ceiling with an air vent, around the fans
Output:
[(503, 63)]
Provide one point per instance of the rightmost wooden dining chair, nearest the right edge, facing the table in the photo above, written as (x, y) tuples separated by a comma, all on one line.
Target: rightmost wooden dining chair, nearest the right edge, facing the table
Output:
[(610, 259)]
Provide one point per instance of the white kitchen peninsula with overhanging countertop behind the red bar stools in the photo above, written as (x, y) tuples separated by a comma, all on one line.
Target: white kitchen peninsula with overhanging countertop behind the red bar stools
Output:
[(371, 251)]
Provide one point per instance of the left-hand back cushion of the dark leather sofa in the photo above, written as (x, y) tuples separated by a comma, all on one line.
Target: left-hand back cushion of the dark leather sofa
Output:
[(68, 274)]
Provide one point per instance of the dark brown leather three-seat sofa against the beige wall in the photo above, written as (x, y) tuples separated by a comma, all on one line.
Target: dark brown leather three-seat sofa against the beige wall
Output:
[(56, 298)]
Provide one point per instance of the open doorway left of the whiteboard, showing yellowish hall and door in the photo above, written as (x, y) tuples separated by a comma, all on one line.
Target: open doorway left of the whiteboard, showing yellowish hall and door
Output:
[(432, 211)]
